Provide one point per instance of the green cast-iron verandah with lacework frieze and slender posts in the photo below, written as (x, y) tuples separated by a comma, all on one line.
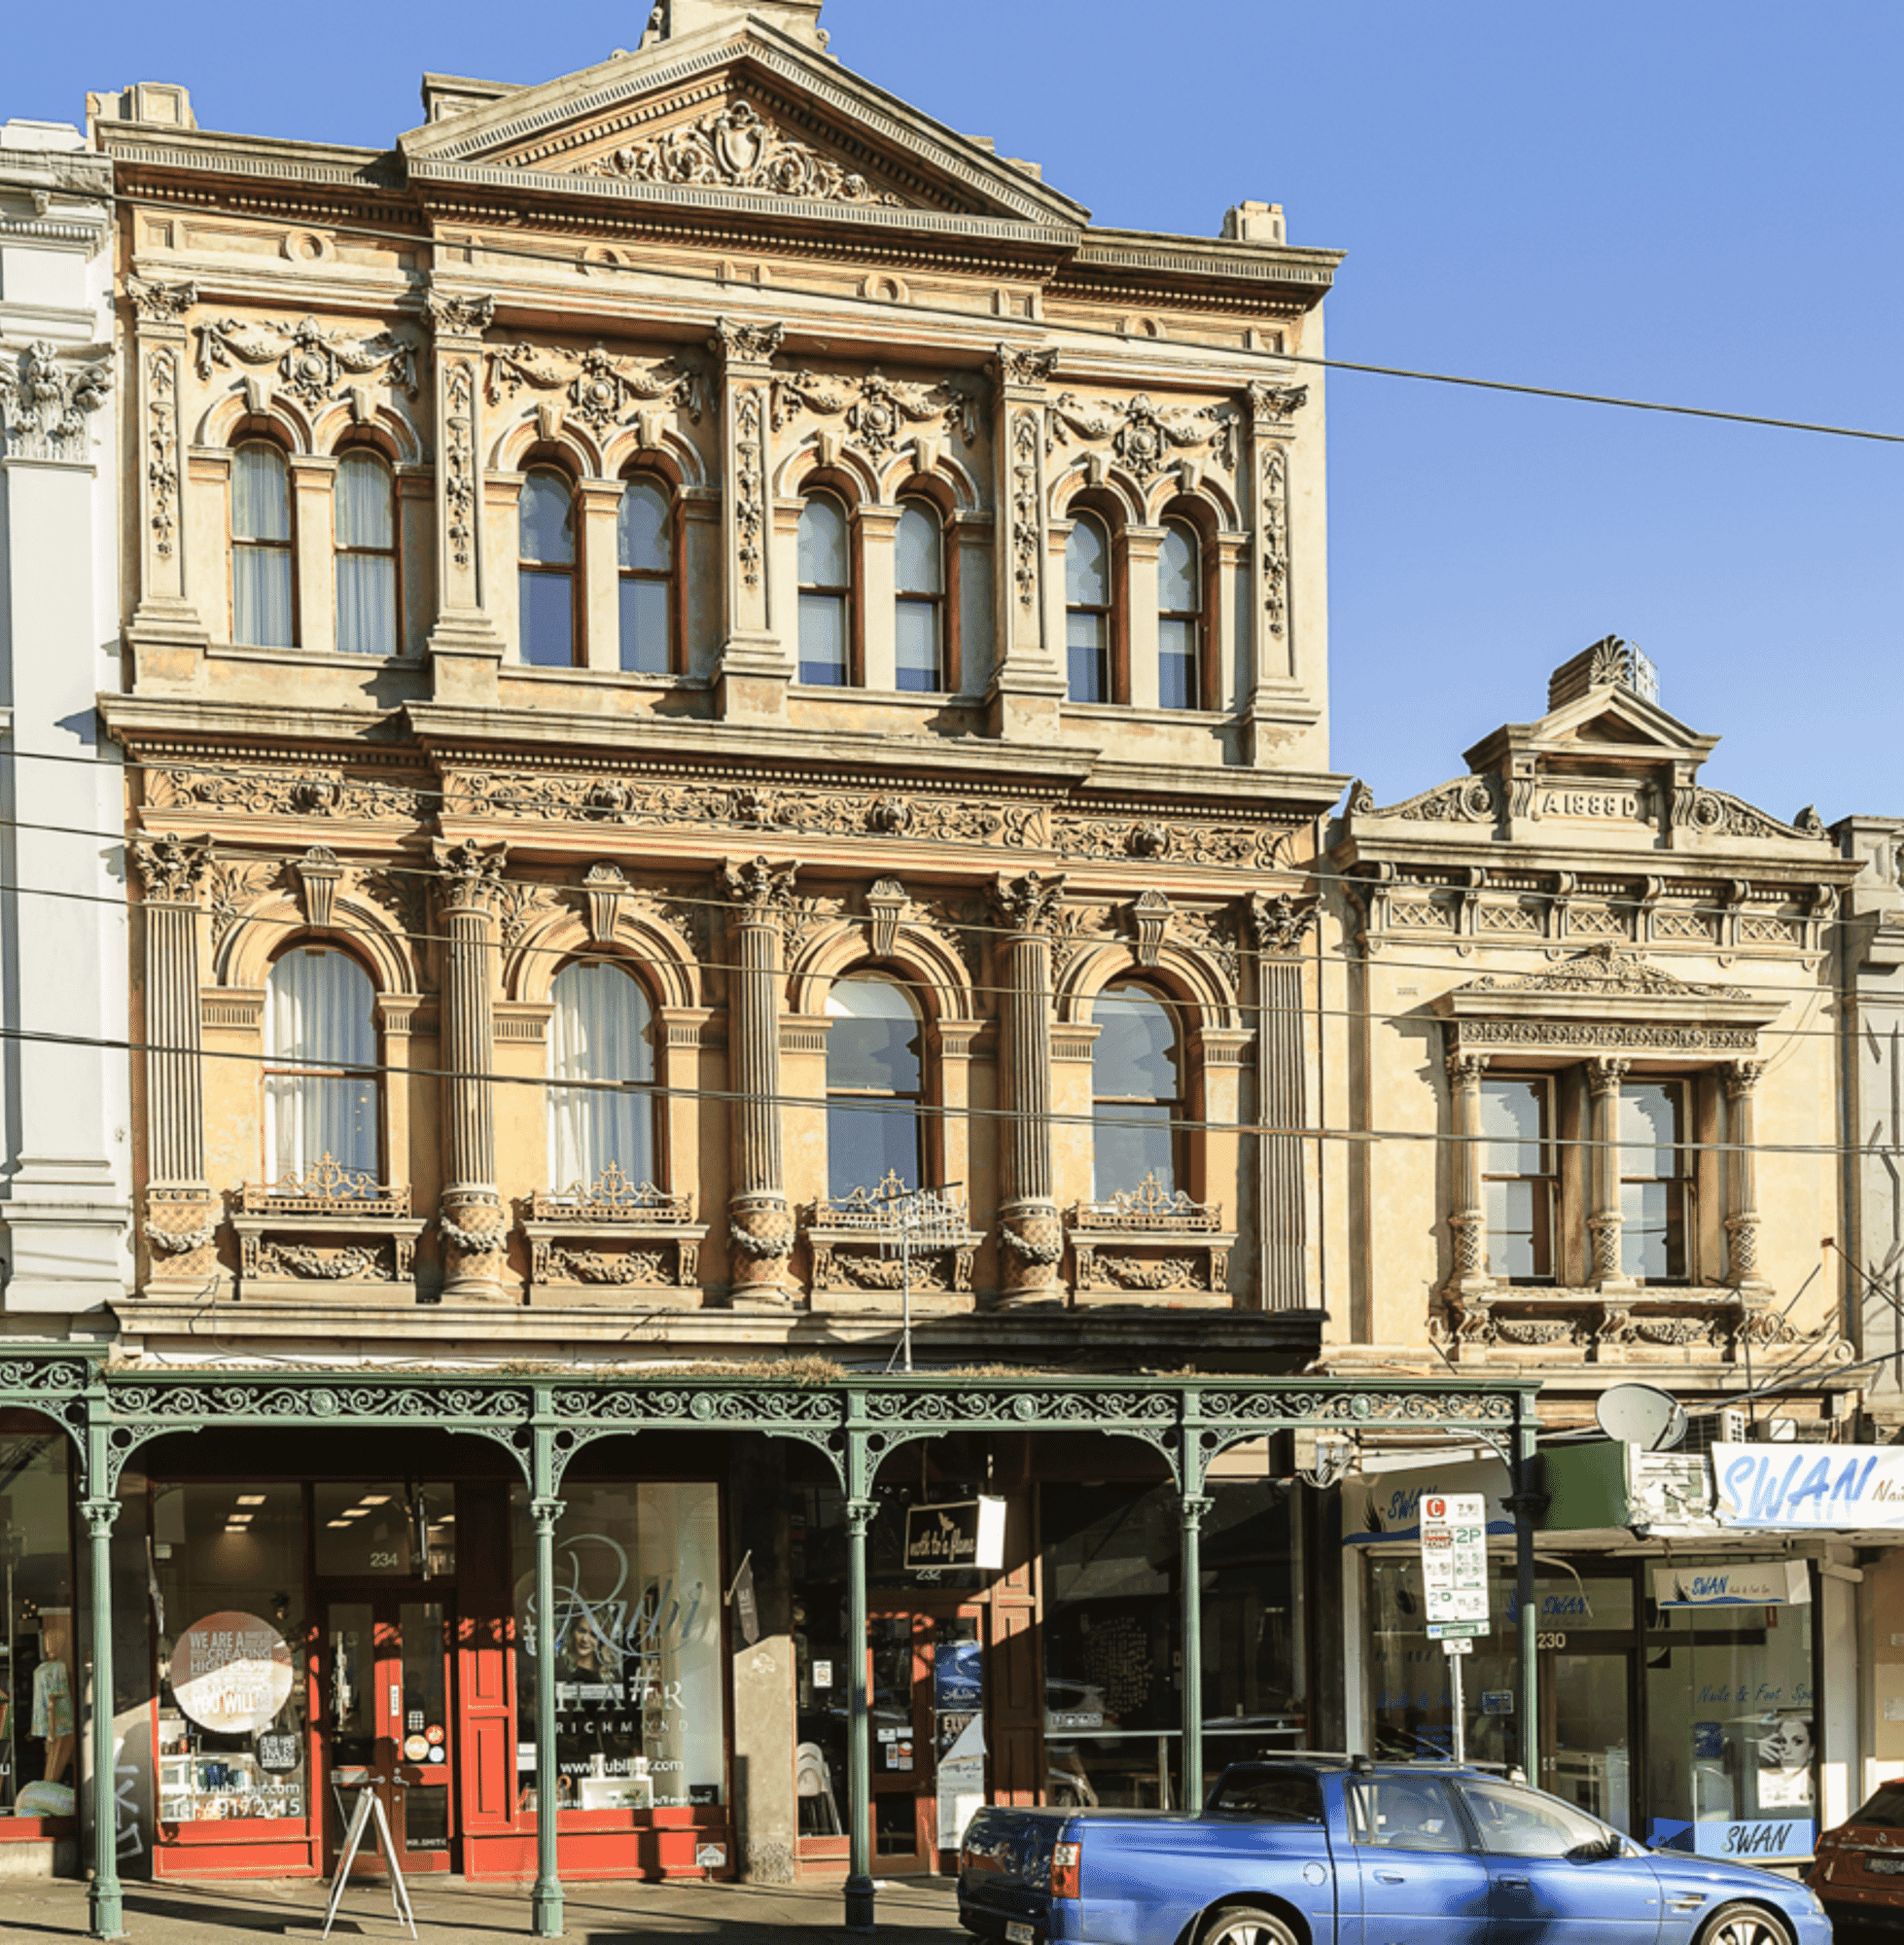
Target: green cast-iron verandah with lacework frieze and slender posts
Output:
[(857, 1421)]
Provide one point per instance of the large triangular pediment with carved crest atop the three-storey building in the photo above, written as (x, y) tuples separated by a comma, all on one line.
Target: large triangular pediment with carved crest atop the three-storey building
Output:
[(746, 116)]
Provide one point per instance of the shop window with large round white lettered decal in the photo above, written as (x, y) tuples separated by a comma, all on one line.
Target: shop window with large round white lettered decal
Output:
[(232, 1734)]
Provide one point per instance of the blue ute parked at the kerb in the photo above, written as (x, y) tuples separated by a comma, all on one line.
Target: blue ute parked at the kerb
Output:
[(1337, 1851)]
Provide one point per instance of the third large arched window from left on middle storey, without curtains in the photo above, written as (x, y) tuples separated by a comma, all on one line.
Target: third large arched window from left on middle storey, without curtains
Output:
[(874, 1080)]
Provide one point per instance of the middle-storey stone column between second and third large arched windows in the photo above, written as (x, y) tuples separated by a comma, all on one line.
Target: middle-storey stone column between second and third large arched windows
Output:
[(759, 1220)]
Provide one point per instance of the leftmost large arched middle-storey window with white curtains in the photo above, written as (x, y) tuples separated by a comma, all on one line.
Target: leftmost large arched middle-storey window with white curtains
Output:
[(320, 1065)]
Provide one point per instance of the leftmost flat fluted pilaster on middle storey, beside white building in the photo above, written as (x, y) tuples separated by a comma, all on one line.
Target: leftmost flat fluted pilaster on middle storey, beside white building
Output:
[(182, 1219)]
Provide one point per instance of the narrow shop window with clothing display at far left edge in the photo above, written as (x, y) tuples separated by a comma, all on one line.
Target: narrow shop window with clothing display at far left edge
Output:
[(40, 1681)]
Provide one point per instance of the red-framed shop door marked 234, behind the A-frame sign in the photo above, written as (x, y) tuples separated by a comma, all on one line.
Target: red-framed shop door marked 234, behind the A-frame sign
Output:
[(388, 1709)]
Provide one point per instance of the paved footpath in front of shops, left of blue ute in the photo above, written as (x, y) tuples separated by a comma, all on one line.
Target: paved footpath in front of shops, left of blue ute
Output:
[(452, 1913)]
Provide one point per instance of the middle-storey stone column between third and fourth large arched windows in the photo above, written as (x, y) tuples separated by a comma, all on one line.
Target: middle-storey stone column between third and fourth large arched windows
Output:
[(1030, 1232)]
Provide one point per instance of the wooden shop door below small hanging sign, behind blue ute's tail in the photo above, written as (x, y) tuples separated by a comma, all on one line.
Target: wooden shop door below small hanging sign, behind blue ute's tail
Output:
[(929, 1734)]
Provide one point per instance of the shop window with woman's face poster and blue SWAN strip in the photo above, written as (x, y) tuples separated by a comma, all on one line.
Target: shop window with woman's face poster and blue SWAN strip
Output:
[(1734, 1763)]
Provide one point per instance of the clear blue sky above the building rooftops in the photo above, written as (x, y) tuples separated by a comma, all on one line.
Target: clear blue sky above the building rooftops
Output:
[(1681, 201)]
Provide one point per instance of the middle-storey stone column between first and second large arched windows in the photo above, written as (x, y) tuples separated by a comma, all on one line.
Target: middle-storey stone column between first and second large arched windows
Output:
[(472, 1222)]
